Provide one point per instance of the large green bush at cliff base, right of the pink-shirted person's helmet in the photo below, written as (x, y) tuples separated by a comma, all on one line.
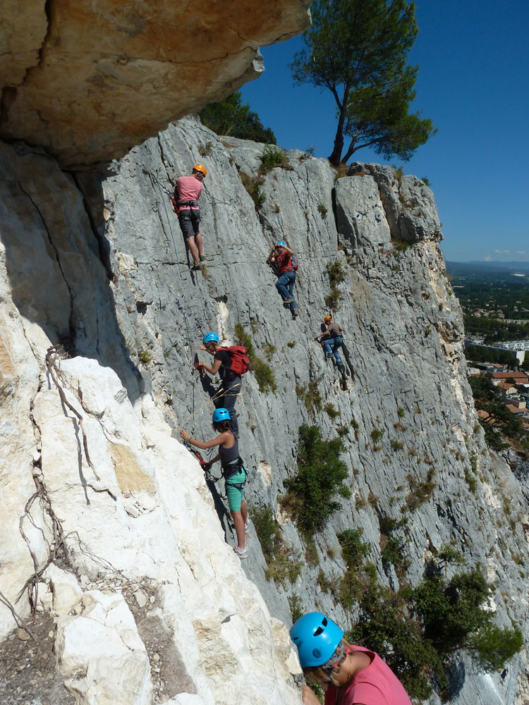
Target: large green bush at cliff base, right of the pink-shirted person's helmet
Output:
[(418, 630)]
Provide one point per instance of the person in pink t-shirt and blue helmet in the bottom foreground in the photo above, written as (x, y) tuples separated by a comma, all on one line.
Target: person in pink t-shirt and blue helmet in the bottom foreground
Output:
[(350, 675)]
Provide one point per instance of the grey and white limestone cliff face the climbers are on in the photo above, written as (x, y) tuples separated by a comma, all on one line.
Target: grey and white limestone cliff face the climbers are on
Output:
[(111, 530)]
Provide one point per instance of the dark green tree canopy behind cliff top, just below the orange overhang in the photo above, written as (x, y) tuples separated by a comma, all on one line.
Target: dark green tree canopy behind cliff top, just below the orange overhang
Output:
[(232, 117)]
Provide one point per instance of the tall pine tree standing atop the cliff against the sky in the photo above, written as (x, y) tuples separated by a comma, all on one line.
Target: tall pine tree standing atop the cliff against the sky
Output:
[(357, 49)]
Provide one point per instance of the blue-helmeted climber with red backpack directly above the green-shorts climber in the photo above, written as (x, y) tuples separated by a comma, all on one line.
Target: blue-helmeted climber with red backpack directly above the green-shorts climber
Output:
[(230, 364)]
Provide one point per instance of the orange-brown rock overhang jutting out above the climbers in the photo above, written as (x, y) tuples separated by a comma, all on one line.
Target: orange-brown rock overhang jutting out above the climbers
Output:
[(90, 79)]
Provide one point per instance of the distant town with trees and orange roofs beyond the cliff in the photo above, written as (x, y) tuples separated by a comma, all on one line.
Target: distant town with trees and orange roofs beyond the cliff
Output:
[(495, 303)]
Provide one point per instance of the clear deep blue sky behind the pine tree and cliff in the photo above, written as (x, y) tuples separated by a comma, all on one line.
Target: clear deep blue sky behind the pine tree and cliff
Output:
[(474, 84)]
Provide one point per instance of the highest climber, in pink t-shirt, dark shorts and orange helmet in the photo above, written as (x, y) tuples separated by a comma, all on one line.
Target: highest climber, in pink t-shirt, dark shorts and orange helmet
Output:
[(187, 193)]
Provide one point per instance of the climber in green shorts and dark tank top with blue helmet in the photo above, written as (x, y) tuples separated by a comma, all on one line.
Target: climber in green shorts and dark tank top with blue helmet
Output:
[(233, 471)]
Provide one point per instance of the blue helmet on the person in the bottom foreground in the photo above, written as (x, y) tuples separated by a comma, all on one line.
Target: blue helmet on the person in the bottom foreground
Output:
[(317, 638)]
